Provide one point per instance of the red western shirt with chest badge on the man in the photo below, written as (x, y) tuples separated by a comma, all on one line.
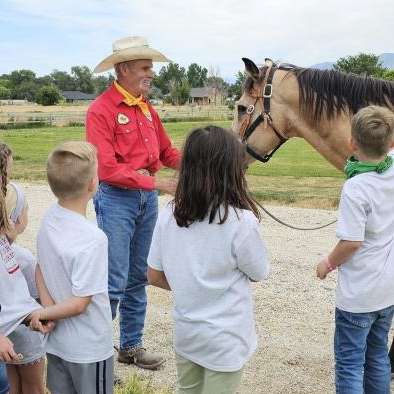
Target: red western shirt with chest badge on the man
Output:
[(126, 141)]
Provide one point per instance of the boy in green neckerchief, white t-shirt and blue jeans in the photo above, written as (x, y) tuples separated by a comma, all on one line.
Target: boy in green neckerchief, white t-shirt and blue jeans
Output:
[(365, 257)]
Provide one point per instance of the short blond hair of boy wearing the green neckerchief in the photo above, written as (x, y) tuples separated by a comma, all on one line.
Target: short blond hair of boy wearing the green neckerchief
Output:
[(372, 129)]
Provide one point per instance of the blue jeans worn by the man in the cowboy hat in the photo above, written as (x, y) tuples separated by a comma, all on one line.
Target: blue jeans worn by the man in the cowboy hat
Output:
[(128, 218)]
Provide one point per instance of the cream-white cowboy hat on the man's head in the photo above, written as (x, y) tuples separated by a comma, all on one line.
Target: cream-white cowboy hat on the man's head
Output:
[(130, 48)]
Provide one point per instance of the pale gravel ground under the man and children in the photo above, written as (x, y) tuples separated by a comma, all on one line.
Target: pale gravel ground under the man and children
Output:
[(294, 310)]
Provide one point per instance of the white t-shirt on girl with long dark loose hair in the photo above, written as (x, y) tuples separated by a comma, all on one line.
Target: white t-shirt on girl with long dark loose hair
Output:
[(208, 267)]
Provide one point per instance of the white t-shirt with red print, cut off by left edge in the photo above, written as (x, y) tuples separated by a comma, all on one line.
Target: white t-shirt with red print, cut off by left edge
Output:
[(15, 300)]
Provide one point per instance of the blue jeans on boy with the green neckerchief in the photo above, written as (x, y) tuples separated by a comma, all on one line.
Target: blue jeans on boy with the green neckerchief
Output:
[(362, 364)]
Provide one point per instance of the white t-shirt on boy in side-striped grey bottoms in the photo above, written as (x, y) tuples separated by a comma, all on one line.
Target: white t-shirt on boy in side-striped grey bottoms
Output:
[(73, 257)]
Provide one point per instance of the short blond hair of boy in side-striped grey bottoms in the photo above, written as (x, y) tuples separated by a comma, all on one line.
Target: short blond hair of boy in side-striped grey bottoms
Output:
[(70, 167)]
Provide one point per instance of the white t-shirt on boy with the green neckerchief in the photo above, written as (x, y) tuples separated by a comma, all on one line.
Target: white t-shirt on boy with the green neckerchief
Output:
[(366, 213)]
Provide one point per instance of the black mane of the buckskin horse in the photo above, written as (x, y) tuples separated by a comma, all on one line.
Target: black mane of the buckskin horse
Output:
[(329, 92)]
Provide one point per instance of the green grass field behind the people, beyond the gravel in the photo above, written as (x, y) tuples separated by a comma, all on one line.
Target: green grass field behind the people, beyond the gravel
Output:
[(296, 175)]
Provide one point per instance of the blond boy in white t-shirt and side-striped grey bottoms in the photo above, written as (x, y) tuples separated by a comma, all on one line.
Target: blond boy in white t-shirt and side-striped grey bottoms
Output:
[(73, 260)]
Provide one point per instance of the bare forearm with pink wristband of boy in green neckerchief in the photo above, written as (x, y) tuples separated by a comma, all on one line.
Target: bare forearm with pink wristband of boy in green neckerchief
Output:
[(342, 252)]
